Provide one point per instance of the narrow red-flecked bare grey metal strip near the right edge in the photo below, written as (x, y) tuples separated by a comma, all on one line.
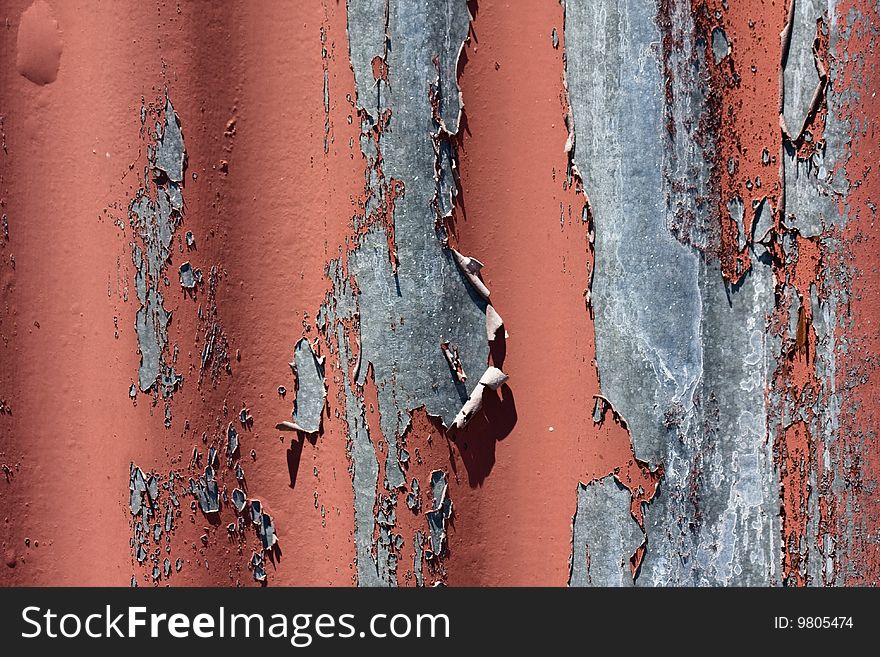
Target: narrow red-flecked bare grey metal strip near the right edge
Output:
[(815, 190)]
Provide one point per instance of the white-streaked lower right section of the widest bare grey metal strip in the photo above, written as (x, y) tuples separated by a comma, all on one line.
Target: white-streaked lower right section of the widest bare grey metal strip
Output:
[(715, 518)]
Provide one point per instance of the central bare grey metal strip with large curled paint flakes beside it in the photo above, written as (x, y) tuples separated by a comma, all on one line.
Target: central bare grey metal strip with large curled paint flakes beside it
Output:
[(404, 315)]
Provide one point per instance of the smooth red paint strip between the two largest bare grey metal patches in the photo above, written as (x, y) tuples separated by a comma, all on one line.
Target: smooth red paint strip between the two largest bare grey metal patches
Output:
[(515, 191)]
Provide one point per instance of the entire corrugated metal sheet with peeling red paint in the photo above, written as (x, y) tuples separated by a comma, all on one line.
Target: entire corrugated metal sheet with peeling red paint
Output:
[(670, 203)]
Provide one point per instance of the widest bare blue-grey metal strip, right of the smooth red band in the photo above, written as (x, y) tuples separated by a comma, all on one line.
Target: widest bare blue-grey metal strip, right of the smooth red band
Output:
[(664, 316)]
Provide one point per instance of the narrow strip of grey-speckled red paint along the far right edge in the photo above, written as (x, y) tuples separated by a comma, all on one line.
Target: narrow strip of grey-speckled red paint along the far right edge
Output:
[(857, 377)]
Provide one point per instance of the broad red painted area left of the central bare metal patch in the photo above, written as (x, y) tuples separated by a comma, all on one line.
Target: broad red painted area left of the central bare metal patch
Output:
[(73, 160)]
